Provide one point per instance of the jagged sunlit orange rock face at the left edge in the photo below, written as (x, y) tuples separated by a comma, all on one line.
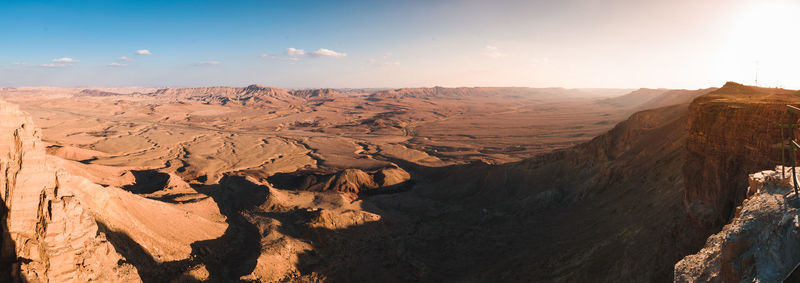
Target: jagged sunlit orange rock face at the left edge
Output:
[(47, 234)]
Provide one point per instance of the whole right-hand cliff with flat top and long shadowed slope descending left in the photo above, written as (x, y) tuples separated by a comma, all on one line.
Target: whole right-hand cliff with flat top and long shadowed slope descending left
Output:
[(658, 183)]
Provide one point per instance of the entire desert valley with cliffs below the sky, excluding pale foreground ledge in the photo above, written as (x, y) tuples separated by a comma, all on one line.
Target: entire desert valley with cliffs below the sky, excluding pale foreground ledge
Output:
[(431, 184)]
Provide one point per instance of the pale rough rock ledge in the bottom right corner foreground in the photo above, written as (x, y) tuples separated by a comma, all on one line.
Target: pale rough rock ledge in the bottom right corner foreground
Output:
[(762, 242)]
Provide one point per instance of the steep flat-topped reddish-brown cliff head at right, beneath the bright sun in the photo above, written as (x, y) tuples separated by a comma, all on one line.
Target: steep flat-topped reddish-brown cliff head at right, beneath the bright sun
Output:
[(731, 132)]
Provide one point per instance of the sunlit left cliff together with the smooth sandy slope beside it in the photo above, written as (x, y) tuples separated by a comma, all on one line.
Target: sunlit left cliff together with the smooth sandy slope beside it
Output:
[(57, 227)]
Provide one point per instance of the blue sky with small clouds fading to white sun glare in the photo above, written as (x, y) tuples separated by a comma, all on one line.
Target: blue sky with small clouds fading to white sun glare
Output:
[(312, 44)]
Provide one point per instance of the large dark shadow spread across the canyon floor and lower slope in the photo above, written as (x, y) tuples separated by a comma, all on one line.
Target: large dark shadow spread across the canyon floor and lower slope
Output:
[(474, 222)]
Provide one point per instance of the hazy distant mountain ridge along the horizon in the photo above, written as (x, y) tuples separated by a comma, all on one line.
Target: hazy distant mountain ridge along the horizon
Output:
[(258, 95)]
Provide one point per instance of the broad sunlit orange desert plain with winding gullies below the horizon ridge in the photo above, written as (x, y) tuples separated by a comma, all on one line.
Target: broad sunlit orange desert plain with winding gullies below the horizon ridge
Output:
[(322, 128)]
